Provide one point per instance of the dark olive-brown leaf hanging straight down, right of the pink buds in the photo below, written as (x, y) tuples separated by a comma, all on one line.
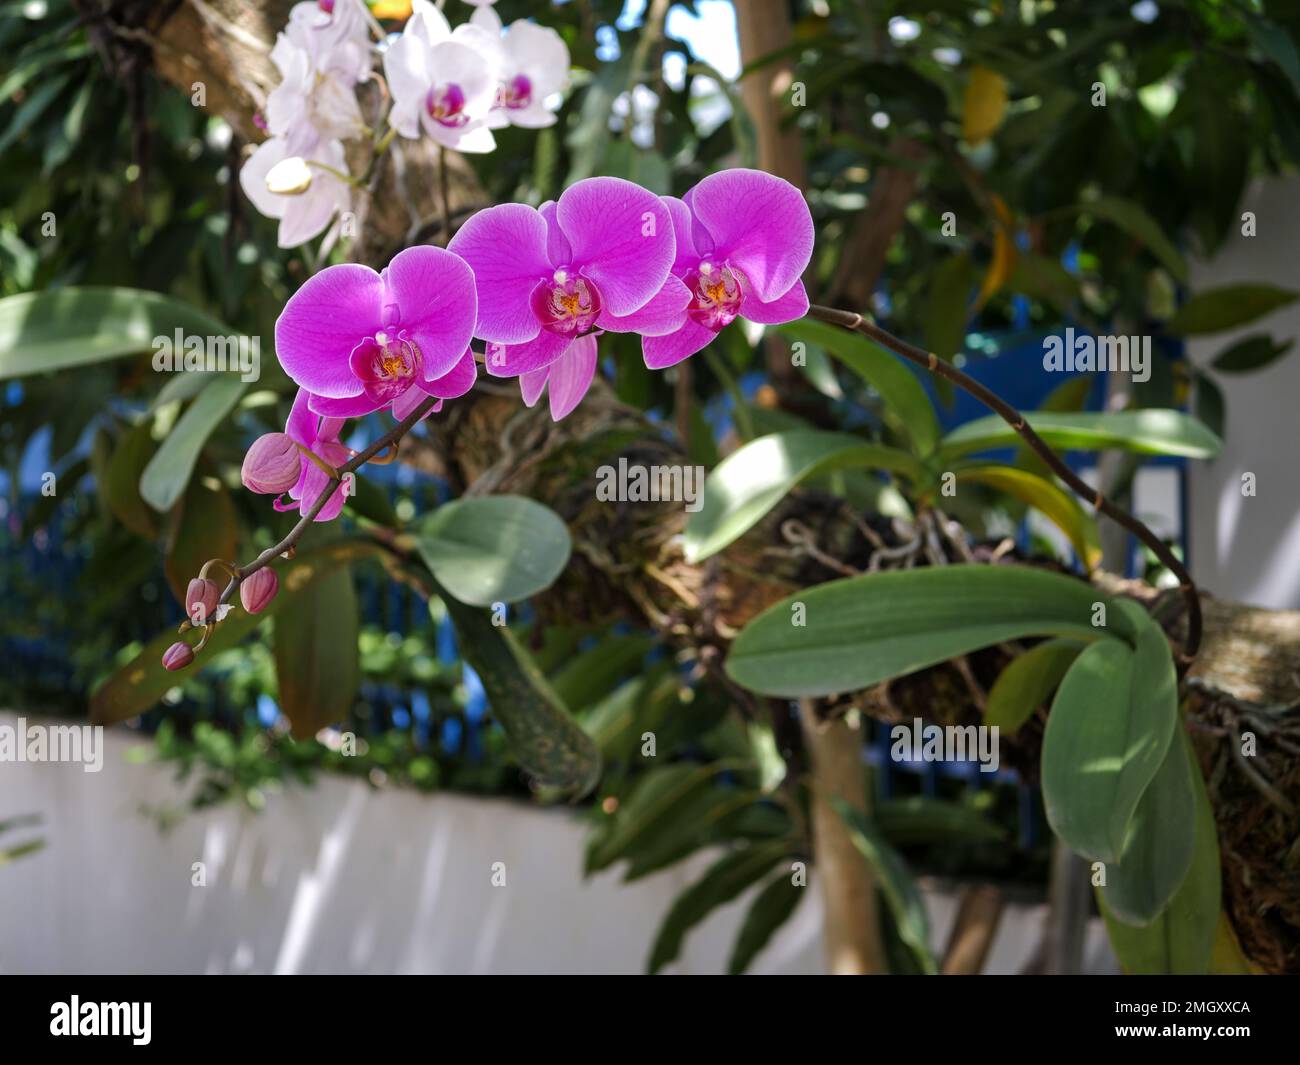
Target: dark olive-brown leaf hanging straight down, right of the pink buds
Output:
[(318, 666)]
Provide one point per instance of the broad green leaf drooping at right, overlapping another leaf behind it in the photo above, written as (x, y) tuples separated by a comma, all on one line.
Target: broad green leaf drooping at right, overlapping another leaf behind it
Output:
[(1110, 729)]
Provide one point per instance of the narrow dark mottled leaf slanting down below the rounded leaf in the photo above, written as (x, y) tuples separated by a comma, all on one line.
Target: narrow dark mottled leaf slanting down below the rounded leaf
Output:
[(548, 742)]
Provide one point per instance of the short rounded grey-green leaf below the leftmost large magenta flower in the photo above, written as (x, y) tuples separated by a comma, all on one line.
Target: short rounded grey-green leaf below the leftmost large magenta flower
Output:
[(495, 548)]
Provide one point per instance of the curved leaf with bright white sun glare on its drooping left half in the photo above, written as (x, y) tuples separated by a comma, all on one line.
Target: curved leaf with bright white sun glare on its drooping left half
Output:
[(756, 478)]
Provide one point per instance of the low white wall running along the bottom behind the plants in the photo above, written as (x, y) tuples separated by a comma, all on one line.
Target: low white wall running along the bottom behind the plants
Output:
[(341, 878)]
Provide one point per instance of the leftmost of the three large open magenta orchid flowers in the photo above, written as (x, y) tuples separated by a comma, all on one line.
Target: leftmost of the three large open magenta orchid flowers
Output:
[(358, 341)]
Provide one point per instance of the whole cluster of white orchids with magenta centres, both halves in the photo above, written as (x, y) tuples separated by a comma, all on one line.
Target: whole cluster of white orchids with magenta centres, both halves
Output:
[(456, 86)]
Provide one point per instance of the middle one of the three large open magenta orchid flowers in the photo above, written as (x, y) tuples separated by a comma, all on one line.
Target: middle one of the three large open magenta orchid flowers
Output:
[(596, 259)]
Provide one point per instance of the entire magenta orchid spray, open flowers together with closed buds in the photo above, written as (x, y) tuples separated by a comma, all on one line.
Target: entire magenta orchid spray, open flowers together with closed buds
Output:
[(538, 287)]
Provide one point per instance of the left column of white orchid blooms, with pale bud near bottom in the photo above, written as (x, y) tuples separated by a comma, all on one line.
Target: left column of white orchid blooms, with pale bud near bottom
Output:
[(300, 174)]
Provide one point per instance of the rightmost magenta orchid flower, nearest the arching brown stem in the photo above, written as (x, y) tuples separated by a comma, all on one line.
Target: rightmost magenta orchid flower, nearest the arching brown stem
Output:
[(744, 240)]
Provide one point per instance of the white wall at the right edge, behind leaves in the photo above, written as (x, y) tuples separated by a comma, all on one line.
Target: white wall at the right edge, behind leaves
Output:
[(1249, 549)]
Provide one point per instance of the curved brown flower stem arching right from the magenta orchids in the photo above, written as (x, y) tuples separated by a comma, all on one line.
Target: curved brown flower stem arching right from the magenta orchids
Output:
[(1012, 417)]
